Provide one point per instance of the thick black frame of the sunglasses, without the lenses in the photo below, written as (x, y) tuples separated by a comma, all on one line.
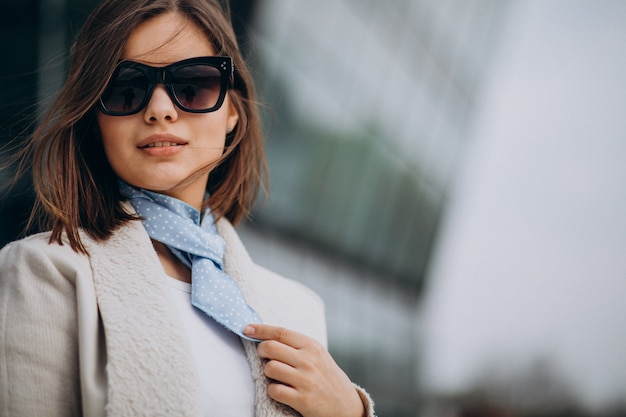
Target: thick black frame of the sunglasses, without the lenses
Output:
[(163, 75)]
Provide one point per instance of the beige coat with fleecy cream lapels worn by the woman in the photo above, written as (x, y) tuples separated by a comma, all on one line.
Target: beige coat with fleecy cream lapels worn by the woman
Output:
[(97, 335)]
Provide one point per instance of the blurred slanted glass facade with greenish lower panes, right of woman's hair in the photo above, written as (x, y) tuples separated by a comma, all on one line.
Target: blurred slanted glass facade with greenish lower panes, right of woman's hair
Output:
[(371, 104)]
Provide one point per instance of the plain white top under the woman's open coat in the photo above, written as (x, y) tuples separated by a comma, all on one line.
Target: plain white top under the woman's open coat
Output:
[(226, 385)]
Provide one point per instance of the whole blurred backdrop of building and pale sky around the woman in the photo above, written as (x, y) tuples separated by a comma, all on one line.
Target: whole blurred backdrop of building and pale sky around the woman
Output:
[(448, 175)]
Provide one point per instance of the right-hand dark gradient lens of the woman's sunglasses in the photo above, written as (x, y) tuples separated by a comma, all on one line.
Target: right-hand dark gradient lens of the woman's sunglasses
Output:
[(197, 87)]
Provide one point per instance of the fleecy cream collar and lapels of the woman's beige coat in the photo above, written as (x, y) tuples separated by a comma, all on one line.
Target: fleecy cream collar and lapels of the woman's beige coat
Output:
[(149, 369)]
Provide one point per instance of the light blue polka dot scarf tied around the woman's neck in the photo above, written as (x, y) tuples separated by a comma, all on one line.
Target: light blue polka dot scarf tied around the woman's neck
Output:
[(195, 241)]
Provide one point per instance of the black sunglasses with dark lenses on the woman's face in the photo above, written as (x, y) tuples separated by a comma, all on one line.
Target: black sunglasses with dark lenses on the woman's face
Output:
[(196, 85)]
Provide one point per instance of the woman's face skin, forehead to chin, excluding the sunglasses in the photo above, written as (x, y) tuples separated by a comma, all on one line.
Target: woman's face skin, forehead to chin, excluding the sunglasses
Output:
[(162, 146)]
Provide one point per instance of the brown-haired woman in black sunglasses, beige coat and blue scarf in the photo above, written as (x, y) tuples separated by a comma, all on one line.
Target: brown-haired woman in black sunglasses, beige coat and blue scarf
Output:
[(148, 156)]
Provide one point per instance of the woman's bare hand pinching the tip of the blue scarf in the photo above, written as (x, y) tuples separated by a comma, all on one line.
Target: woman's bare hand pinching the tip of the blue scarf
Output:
[(303, 374)]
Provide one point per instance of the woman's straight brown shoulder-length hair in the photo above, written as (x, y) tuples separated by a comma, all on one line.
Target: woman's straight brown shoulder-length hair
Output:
[(76, 187)]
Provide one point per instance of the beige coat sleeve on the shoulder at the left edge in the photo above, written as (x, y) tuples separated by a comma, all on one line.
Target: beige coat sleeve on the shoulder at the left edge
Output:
[(39, 372)]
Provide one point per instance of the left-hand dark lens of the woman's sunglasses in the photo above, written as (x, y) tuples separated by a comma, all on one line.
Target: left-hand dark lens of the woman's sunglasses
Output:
[(126, 92)]
